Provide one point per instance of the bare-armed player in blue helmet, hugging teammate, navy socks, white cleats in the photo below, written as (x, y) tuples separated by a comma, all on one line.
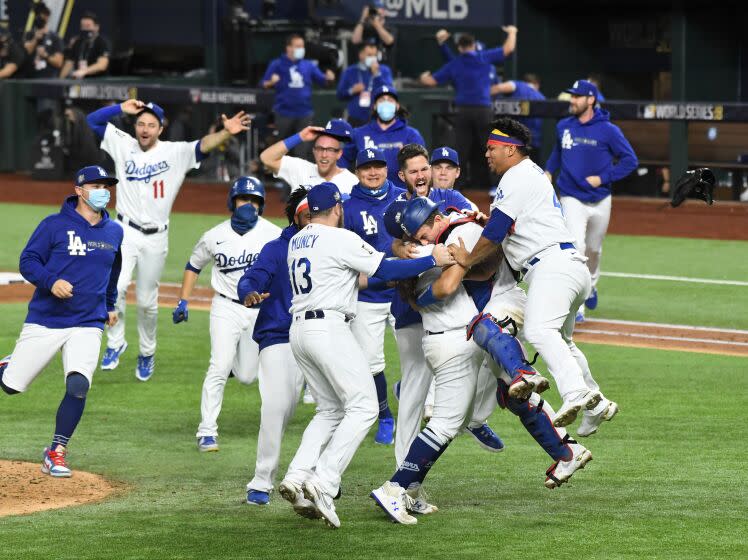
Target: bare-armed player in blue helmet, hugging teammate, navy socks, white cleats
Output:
[(445, 307)]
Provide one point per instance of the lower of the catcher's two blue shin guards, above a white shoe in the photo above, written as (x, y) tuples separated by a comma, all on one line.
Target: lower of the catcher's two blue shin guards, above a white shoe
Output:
[(535, 415)]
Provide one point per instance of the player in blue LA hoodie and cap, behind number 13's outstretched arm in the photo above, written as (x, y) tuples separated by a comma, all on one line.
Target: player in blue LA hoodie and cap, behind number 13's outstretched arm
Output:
[(363, 215)]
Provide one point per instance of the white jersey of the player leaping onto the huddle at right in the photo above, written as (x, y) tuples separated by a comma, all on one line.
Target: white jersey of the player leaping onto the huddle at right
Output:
[(526, 195)]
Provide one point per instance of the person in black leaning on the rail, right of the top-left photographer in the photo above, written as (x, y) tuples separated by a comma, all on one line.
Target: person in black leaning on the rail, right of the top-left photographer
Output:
[(87, 54)]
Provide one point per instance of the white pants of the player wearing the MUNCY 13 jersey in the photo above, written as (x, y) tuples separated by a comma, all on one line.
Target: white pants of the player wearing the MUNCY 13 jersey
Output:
[(336, 370)]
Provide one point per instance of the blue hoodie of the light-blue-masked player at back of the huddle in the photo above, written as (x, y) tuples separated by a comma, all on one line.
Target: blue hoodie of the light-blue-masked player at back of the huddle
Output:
[(389, 141)]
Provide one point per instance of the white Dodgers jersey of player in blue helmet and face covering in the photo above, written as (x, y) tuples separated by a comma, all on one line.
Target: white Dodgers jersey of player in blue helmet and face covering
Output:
[(231, 253)]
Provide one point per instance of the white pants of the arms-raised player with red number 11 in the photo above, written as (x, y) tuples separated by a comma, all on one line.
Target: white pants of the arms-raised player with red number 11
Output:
[(148, 254)]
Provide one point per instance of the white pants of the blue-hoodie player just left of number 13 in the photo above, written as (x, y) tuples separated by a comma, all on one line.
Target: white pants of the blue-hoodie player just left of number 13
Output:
[(280, 382)]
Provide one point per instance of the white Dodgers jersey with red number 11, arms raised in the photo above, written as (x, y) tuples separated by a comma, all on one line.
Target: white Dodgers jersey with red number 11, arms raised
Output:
[(148, 181)]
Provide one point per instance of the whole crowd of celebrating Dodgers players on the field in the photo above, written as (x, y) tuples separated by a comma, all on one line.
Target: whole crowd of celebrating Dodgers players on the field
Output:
[(390, 243)]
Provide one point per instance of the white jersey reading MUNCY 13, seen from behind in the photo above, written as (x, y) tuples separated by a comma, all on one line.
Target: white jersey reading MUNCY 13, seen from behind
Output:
[(323, 264)]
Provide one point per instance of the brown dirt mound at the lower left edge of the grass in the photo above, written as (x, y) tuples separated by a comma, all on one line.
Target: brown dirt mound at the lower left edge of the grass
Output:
[(25, 489)]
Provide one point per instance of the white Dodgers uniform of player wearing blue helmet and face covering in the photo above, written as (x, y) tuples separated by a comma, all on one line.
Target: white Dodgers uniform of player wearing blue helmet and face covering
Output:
[(231, 323)]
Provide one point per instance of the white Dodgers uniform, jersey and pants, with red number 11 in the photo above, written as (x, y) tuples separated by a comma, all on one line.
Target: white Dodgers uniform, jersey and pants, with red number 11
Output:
[(148, 184)]
